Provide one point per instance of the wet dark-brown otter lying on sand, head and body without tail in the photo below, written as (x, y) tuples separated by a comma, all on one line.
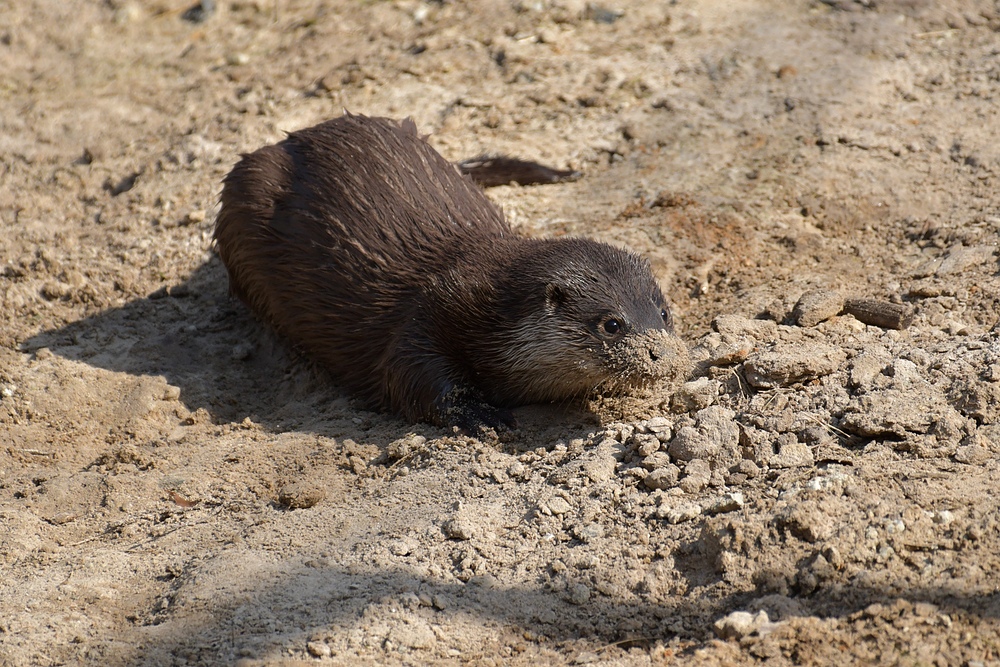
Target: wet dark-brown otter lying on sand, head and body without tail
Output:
[(373, 255)]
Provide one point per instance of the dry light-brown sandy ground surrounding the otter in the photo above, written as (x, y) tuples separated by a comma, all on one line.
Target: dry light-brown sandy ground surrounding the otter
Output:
[(177, 487)]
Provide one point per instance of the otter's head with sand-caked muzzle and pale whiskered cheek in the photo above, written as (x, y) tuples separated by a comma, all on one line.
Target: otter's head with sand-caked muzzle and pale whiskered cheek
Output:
[(595, 317)]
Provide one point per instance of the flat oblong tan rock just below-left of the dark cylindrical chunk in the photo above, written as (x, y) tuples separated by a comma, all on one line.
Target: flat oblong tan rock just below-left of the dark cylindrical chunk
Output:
[(785, 366)]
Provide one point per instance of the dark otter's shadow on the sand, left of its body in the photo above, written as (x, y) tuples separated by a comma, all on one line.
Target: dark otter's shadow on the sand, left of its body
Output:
[(208, 345)]
